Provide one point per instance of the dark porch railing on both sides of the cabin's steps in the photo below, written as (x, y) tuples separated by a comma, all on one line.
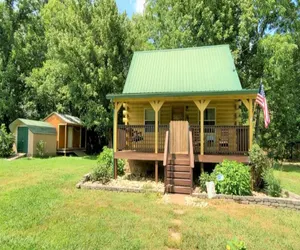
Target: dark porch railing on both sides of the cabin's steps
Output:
[(217, 139)]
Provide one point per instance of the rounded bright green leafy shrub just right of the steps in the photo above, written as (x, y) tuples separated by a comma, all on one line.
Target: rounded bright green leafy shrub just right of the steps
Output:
[(231, 177)]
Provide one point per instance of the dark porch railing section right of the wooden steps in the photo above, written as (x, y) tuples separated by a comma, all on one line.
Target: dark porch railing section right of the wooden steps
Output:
[(221, 139)]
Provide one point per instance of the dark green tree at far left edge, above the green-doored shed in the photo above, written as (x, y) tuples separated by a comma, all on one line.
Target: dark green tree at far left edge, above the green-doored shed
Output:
[(22, 48)]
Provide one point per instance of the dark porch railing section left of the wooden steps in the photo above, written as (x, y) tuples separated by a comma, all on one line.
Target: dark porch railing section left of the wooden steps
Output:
[(141, 138)]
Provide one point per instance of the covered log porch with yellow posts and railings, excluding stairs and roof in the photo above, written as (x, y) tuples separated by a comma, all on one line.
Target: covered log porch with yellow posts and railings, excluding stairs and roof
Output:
[(222, 137)]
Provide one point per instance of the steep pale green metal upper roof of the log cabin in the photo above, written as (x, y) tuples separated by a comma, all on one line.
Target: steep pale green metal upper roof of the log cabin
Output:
[(197, 69)]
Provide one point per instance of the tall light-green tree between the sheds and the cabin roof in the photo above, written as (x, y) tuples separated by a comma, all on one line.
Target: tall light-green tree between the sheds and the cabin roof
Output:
[(88, 57)]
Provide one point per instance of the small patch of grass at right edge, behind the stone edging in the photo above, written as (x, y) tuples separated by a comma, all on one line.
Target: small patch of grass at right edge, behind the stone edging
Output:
[(290, 177)]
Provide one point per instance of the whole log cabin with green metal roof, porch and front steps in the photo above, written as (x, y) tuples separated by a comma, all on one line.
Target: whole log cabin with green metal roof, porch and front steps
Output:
[(181, 106)]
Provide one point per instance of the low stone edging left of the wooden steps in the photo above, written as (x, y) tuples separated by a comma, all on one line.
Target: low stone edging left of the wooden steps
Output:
[(83, 185)]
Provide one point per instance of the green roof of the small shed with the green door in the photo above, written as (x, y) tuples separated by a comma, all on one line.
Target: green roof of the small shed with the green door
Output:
[(36, 127)]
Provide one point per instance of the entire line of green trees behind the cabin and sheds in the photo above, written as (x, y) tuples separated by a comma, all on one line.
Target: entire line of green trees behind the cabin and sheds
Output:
[(65, 56)]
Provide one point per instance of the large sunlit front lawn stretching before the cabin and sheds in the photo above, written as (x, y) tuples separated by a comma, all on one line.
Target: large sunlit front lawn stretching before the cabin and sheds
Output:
[(40, 208)]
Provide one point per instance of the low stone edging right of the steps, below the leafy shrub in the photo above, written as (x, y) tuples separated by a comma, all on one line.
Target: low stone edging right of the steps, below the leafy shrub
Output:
[(266, 201)]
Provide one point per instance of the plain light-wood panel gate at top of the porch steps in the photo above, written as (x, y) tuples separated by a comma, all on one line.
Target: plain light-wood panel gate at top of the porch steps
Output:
[(179, 134)]
